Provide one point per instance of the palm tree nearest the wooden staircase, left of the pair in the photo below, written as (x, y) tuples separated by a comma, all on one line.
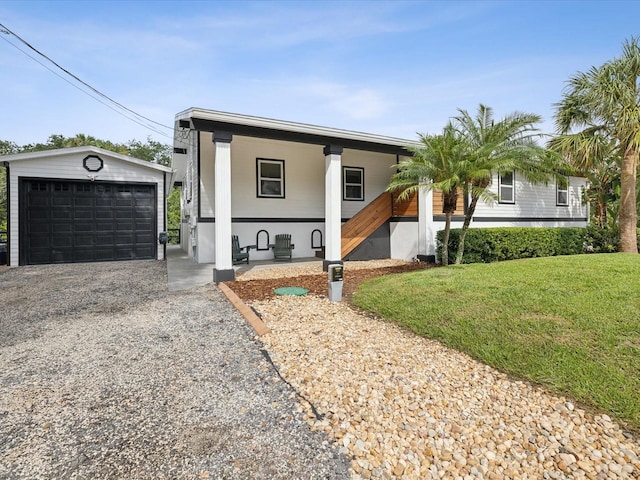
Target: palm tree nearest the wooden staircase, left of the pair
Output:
[(440, 163)]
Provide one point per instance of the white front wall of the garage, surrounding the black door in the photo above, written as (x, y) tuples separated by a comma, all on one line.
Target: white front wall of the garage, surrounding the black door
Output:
[(70, 168)]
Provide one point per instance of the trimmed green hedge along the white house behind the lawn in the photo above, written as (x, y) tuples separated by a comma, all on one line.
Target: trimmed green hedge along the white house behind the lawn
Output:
[(484, 245)]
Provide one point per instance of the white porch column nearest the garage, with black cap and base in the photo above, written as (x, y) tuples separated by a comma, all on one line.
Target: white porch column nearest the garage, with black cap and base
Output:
[(223, 270)]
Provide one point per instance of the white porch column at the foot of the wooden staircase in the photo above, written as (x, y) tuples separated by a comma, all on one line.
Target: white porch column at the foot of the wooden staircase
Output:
[(332, 205)]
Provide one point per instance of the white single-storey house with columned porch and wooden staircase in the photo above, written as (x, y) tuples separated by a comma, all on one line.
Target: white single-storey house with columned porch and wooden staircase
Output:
[(257, 177)]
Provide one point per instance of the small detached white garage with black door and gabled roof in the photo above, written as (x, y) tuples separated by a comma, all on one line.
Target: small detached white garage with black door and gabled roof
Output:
[(84, 204)]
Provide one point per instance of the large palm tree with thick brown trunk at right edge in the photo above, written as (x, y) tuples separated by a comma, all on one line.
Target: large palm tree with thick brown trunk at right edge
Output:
[(606, 101)]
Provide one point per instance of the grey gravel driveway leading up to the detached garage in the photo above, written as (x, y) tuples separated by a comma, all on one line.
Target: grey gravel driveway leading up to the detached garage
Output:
[(104, 374)]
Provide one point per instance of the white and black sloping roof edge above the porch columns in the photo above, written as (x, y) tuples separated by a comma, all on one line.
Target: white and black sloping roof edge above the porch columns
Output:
[(211, 120)]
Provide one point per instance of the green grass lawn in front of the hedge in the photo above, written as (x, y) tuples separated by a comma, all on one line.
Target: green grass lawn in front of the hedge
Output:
[(569, 323)]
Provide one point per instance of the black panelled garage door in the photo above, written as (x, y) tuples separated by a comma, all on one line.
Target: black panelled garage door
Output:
[(66, 222)]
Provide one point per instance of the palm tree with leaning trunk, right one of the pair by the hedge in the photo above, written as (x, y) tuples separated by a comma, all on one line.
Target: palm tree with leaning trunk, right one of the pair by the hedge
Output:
[(499, 147)]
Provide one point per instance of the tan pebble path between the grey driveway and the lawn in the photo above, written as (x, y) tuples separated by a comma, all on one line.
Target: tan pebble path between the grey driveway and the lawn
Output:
[(407, 407)]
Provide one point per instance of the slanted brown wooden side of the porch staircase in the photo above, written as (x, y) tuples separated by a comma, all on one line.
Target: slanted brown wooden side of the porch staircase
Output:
[(365, 222)]
